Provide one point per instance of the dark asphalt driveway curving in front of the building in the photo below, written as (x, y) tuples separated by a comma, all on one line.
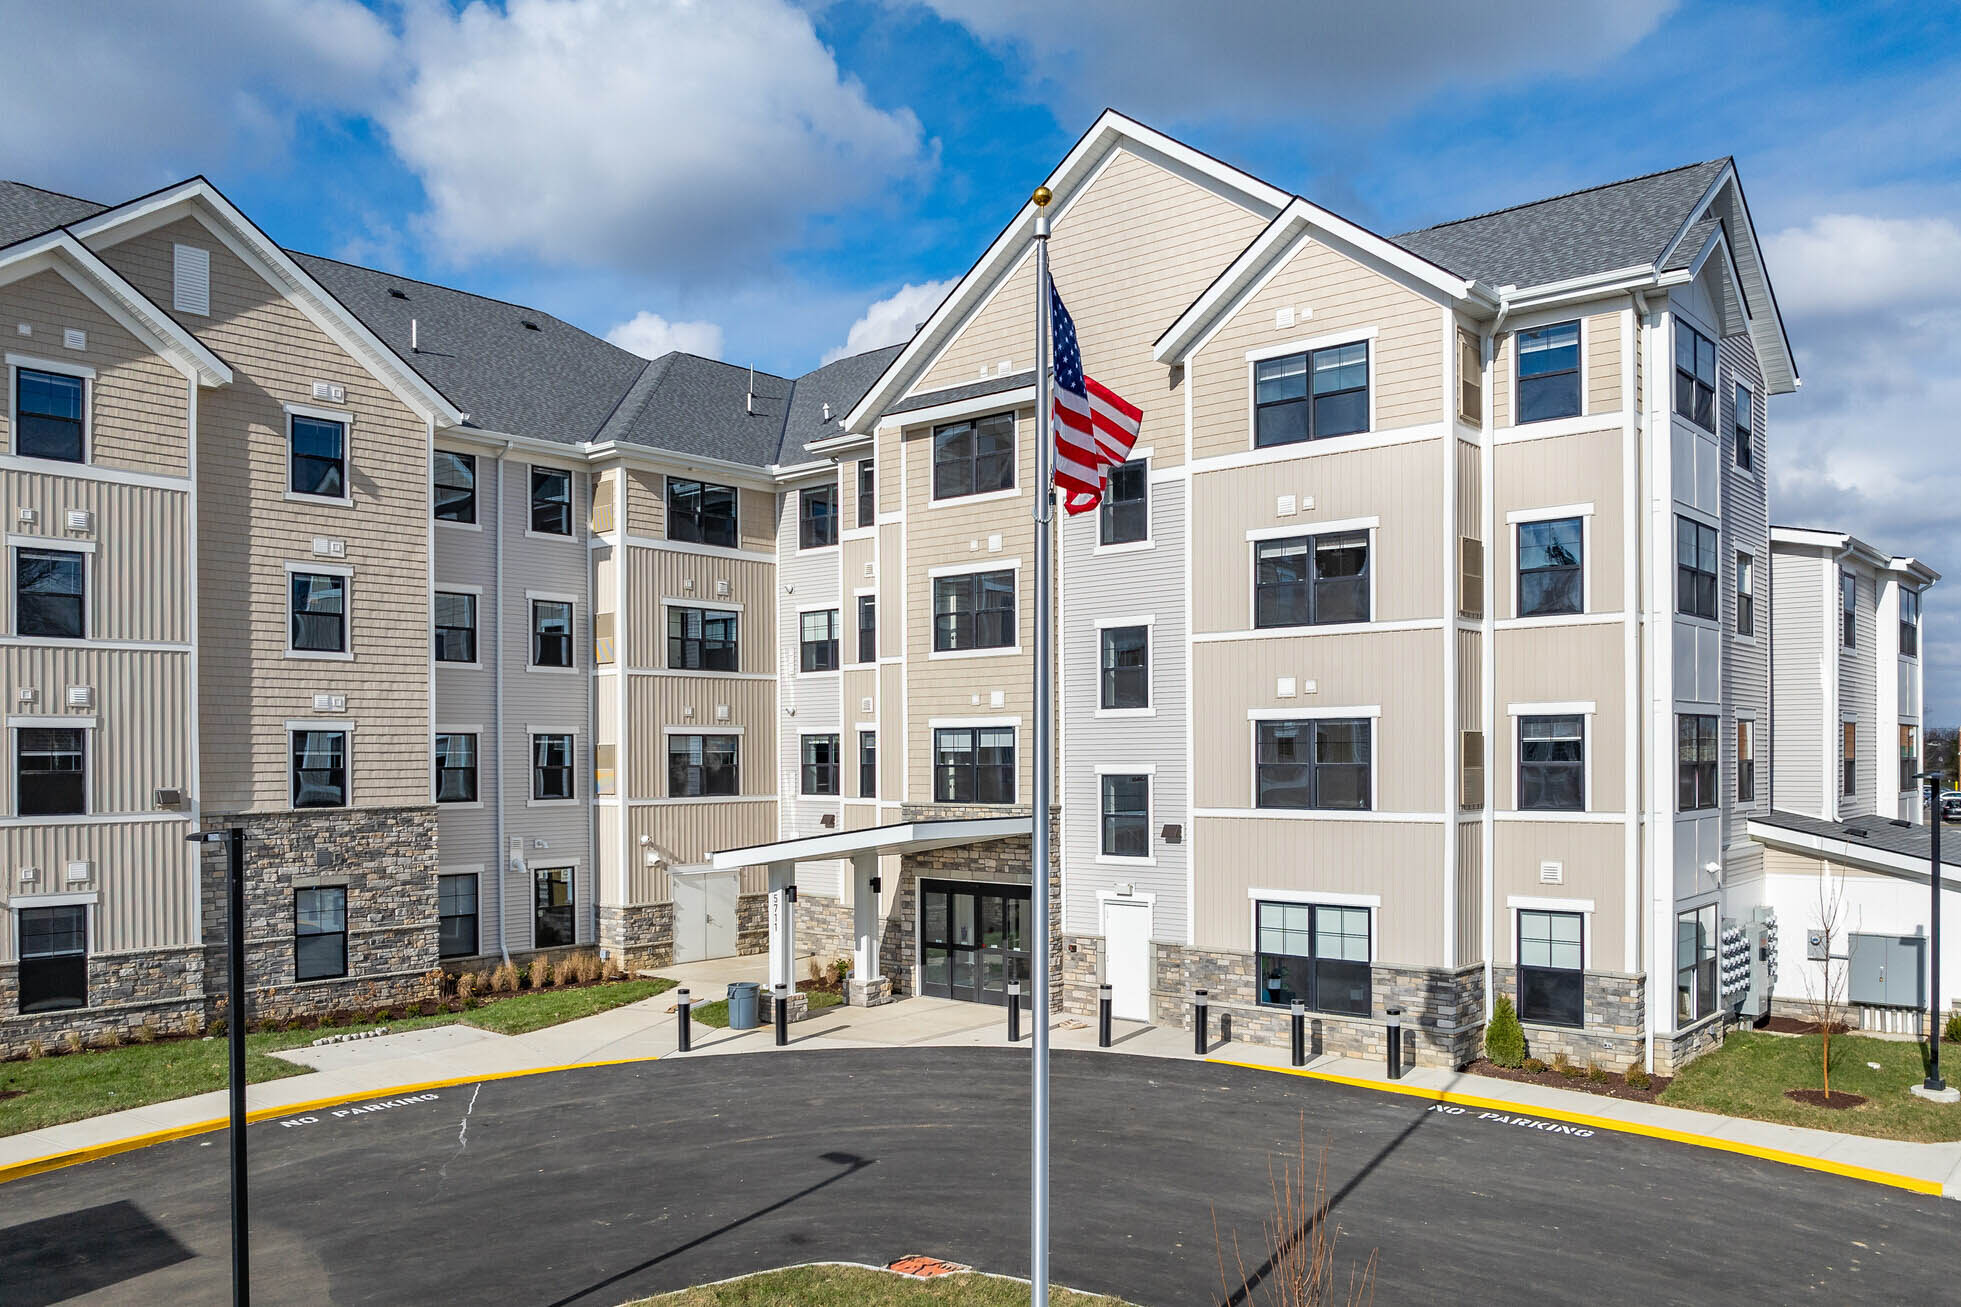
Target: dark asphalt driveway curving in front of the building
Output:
[(607, 1184)]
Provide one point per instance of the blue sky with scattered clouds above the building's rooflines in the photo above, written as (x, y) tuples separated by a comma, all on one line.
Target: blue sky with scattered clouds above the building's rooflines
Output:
[(770, 182)]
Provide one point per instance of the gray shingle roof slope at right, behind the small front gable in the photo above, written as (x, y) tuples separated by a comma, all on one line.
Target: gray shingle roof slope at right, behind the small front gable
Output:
[(1621, 225)]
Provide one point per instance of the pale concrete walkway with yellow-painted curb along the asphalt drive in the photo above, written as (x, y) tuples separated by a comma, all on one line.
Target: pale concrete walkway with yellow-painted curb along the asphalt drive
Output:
[(438, 1057)]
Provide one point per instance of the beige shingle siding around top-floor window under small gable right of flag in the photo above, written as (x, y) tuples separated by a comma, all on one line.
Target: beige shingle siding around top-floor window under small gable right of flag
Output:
[(1407, 354)]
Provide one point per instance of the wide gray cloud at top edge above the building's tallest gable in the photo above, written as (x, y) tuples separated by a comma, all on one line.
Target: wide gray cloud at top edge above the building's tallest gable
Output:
[(1252, 60)]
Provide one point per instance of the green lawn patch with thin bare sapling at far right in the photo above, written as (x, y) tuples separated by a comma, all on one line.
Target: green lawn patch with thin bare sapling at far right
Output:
[(1750, 1072)]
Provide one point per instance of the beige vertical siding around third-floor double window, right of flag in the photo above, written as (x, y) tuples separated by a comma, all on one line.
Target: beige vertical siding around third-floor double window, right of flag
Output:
[(1401, 486)]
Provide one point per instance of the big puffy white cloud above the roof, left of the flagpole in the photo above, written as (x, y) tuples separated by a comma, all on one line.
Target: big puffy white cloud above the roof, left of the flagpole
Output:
[(644, 134)]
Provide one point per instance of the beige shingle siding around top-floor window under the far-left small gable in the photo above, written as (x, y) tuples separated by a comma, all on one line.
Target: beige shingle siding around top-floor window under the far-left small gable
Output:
[(138, 405)]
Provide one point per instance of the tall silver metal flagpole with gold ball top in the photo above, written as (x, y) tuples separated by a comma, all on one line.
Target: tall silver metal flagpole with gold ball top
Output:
[(1038, 1233)]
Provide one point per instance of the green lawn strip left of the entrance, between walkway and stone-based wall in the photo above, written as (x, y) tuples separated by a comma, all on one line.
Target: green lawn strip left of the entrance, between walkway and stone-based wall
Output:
[(75, 1086)]
